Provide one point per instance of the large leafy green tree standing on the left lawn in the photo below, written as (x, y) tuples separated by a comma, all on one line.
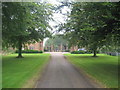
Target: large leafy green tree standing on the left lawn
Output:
[(24, 23)]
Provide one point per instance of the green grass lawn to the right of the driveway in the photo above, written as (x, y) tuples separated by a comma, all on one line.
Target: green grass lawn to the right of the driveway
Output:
[(103, 68)]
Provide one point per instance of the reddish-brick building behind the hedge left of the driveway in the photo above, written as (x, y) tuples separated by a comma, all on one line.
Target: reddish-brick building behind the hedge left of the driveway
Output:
[(36, 46)]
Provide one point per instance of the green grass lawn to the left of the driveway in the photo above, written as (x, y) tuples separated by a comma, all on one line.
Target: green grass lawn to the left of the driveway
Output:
[(18, 72)]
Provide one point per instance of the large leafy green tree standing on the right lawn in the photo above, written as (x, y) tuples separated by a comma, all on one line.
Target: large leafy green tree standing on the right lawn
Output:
[(92, 29)]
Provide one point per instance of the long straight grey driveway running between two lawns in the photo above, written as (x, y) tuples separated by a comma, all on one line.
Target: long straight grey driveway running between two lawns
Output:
[(59, 73)]
